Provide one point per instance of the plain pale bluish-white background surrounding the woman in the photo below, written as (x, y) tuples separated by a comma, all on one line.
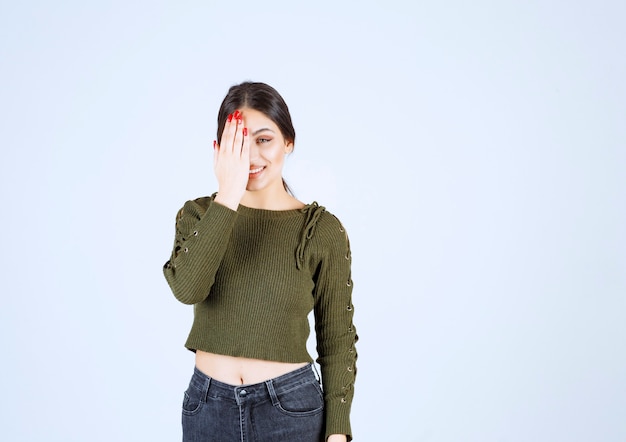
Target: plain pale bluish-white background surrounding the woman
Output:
[(474, 150)]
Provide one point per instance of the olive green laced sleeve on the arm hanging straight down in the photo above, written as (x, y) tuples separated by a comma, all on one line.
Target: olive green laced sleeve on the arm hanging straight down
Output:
[(335, 331)]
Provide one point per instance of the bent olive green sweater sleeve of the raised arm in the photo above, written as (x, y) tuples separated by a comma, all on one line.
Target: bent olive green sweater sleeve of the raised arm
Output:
[(203, 230)]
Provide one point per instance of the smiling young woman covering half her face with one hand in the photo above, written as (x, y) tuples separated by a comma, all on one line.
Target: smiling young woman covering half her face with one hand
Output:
[(254, 261)]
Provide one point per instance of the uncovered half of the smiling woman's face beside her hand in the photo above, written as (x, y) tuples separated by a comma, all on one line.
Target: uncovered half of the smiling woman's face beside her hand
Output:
[(267, 151)]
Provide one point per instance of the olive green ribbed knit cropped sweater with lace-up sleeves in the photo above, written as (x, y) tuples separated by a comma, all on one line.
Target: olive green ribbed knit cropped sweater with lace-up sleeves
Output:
[(253, 277)]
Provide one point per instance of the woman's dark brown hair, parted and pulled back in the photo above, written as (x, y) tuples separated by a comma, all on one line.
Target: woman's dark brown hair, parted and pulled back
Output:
[(260, 97)]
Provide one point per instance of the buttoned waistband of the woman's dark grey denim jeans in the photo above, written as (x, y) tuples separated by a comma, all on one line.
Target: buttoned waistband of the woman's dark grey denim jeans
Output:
[(259, 391)]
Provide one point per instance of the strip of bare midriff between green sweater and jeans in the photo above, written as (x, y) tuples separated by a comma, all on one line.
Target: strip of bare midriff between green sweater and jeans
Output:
[(241, 371)]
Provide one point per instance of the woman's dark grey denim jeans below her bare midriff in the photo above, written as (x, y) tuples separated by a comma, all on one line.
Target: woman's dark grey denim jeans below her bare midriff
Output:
[(287, 408)]
